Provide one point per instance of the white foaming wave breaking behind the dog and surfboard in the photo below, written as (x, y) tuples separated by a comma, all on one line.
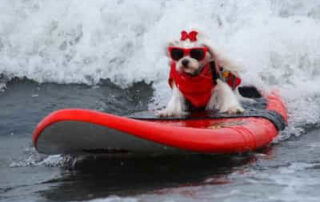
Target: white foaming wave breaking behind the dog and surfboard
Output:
[(84, 42)]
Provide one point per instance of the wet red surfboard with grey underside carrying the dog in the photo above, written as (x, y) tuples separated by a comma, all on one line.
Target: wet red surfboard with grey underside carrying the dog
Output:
[(81, 131)]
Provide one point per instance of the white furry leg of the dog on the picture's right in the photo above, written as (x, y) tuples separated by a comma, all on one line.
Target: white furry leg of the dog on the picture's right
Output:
[(224, 99)]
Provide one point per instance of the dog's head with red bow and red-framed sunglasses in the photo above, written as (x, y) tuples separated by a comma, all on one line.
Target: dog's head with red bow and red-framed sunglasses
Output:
[(190, 53)]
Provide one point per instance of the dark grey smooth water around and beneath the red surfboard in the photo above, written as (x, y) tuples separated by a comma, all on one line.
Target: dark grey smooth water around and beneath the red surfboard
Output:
[(286, 171)]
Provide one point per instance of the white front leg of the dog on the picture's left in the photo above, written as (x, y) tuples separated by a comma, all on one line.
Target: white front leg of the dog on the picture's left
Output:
[(176, 105)]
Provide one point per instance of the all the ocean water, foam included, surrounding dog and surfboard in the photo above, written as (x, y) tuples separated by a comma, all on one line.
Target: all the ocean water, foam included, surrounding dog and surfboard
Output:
[(110, 56)]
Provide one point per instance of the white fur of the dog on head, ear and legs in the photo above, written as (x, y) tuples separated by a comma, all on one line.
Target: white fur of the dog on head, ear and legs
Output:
[(223, 98)]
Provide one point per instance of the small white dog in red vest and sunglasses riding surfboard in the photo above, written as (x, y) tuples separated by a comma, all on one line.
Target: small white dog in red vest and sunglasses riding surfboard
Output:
[(200, 78)]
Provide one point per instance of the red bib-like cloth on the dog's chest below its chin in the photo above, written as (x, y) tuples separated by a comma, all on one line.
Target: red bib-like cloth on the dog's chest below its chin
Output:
[(196, 89)]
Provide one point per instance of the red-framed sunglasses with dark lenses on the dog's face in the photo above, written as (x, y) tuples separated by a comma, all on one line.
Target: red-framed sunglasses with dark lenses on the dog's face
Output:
[(177, 53)]
